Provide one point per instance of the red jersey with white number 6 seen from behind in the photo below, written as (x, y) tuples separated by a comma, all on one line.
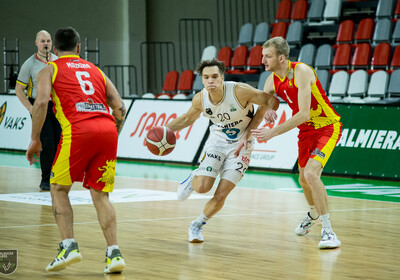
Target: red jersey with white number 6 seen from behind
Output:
[(78, 91)]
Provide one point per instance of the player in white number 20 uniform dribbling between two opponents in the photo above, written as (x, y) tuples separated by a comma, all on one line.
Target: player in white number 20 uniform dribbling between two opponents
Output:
[(229, 106)]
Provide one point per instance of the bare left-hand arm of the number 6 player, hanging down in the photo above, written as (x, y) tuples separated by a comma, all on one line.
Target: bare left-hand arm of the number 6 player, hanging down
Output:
[(39, 111)]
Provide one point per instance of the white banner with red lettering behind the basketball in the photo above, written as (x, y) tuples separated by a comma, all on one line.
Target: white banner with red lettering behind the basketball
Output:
[(146, 113)]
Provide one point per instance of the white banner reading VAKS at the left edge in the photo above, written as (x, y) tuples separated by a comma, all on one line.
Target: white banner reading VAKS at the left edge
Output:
[(15, 124)]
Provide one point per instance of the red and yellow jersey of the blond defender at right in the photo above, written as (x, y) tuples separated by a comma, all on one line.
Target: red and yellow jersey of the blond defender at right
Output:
[(321, 110)]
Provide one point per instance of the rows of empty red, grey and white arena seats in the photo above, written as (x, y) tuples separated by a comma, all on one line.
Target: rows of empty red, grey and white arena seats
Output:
[(351, 51)]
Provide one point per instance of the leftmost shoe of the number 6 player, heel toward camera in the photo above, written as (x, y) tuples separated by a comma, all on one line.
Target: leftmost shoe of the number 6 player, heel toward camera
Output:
[(65, 257)]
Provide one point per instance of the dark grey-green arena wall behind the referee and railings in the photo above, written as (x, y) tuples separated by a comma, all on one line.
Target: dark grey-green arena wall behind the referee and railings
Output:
[(126, 27)]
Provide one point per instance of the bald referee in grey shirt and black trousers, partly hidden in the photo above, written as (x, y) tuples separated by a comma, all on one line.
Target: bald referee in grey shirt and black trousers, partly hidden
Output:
[(25, 90)]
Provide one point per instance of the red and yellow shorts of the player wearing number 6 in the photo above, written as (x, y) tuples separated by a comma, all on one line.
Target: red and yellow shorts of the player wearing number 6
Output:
[(87, 152)]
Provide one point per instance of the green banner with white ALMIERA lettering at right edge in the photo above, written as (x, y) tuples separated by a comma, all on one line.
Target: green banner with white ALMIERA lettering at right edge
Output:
[(370, 142)]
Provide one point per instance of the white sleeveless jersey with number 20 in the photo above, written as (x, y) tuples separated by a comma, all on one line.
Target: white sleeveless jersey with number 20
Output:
[(229, 118)]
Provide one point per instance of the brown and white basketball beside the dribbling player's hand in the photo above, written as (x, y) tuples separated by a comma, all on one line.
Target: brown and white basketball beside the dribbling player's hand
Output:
[(160, 140)]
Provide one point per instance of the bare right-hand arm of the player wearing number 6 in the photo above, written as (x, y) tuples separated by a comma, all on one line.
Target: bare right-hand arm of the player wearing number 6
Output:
[(116, 104)]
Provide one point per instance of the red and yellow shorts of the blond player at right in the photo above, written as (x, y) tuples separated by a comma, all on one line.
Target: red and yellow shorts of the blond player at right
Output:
[(318, 144)]
